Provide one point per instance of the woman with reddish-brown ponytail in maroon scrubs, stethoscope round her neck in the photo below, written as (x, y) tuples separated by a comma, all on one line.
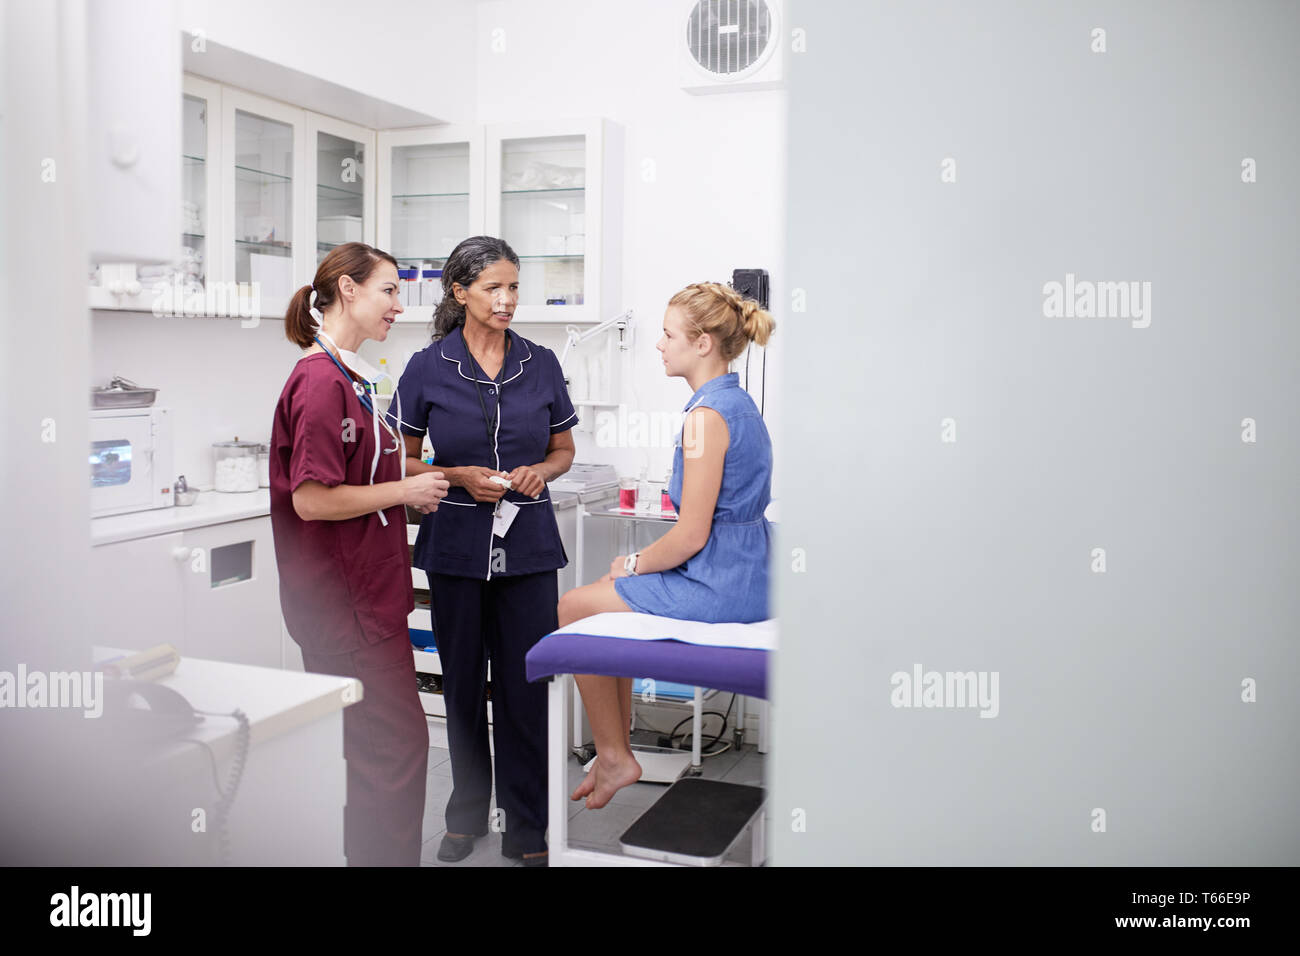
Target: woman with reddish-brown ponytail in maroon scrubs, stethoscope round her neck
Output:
[(337, 496)]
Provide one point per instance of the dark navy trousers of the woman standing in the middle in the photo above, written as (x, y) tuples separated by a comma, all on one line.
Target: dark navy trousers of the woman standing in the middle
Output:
[(497, 621)]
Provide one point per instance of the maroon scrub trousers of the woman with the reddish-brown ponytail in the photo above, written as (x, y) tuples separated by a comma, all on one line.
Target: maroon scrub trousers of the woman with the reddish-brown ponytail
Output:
[(387, 747)]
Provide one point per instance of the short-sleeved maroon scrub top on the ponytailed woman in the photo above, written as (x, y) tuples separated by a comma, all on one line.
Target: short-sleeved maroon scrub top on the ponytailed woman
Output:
[(341, 583)]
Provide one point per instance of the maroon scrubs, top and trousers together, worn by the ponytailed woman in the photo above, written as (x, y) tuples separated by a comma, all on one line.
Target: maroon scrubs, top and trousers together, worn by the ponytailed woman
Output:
[(345, 590)]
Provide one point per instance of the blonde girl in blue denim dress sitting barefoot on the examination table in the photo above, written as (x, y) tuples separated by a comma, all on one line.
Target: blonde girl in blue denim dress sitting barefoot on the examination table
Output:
[(713, 565)]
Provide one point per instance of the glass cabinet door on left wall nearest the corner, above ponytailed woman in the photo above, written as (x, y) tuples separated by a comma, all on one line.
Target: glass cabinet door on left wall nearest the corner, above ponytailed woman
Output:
[(341, 198)]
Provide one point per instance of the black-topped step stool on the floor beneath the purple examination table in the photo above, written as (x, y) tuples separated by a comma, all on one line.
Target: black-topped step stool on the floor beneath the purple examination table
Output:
[(696, 821)]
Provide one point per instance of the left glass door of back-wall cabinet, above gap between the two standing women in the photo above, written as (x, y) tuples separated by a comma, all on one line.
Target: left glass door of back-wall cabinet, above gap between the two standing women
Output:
[(431, 188)]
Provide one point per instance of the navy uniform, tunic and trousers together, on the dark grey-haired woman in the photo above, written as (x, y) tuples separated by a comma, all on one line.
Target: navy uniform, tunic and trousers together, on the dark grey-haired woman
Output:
[(493, 598)]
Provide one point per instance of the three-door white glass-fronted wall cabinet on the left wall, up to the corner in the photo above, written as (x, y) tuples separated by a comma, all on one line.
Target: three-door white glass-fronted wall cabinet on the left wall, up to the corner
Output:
[(267, 191)]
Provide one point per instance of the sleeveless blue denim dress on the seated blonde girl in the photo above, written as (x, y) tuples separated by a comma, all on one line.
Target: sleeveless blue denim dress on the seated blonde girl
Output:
[(727, 581)]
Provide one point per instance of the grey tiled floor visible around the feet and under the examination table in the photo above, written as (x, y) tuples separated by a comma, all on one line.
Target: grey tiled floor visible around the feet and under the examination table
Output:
[(596, 830)]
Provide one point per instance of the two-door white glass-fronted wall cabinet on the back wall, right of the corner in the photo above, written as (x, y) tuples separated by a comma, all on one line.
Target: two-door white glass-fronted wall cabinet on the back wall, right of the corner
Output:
[(553, 191)]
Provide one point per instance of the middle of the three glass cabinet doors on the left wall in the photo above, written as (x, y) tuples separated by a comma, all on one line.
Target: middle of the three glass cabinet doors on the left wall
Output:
[(265, 168)]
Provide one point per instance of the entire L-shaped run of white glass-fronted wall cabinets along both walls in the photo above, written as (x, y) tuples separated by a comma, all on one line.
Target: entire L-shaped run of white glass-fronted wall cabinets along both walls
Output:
[(268, 189)]
